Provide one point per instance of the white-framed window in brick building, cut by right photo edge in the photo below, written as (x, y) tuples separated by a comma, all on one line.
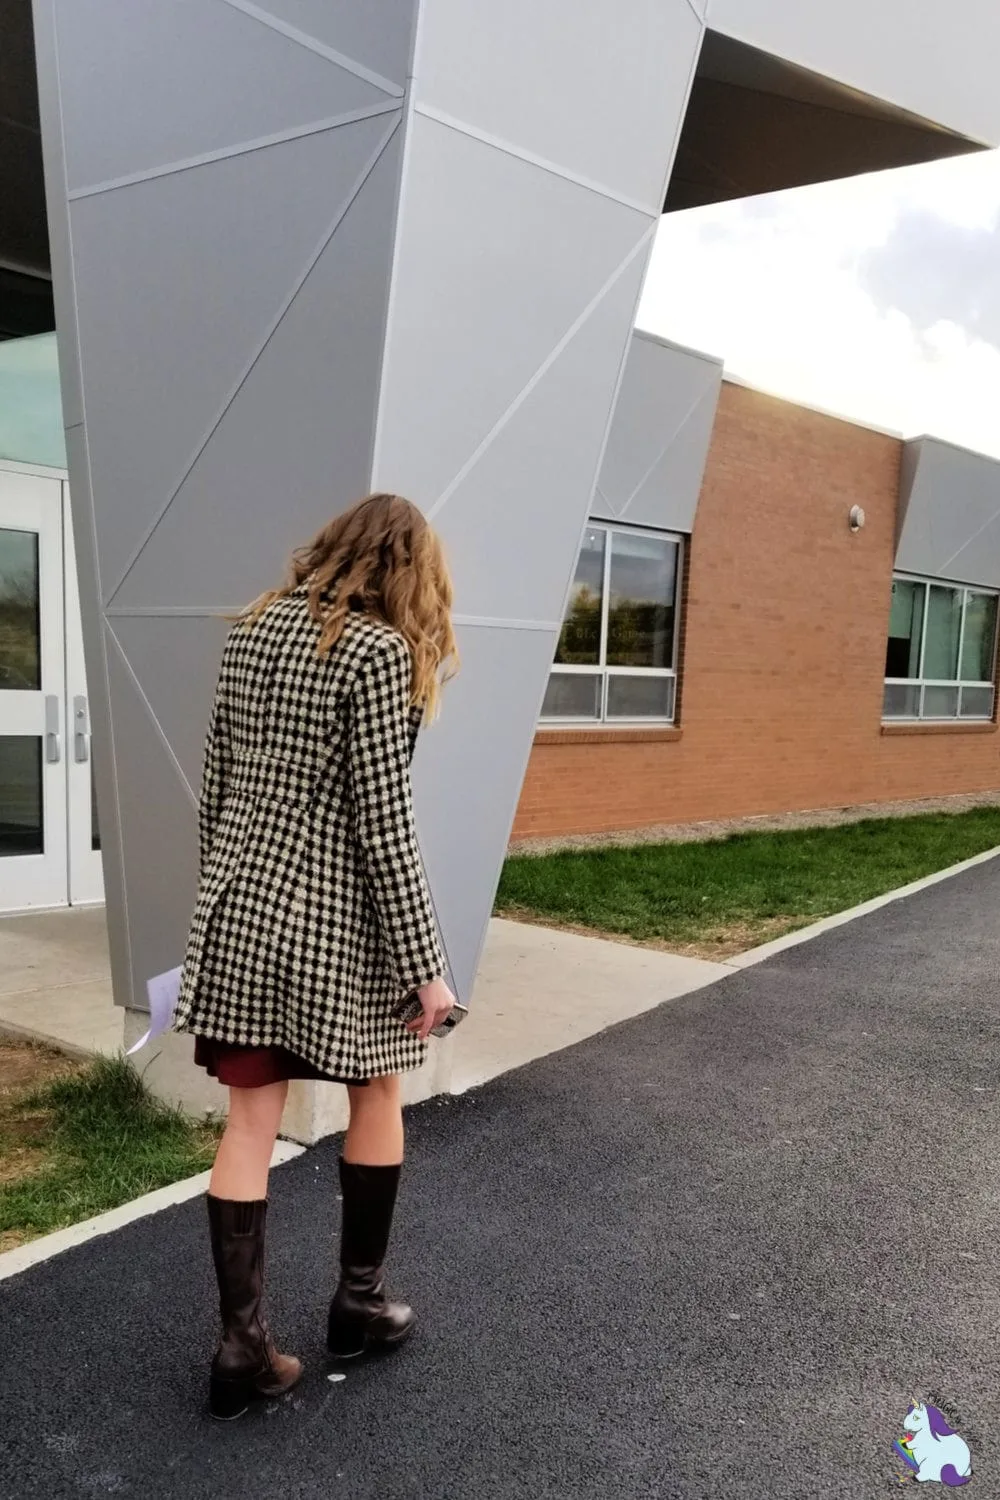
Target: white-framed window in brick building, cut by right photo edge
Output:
[(941, 661)]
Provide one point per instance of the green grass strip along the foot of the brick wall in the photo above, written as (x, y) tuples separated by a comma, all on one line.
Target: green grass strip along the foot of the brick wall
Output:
[(725, 896)]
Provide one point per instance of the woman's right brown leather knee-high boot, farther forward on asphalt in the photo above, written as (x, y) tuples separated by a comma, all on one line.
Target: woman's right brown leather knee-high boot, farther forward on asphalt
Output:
[(361, 1313)]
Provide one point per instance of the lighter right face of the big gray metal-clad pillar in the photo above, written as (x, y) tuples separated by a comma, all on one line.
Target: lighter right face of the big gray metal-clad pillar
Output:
[(540, 146)]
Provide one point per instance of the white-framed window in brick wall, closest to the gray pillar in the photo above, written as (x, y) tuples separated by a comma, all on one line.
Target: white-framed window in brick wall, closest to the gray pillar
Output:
[(617, 655)]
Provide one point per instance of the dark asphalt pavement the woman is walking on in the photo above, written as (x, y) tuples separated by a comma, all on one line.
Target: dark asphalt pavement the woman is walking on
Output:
[(710, 1253)]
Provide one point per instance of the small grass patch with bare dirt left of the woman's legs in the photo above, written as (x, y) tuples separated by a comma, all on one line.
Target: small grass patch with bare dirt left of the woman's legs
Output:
[(88, 1142)]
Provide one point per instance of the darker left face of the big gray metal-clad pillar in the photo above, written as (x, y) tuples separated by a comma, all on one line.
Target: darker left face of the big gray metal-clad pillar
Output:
[(223, 257)]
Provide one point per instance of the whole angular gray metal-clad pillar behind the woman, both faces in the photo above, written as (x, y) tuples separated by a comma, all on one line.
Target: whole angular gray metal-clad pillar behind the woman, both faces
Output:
[(296, 260)]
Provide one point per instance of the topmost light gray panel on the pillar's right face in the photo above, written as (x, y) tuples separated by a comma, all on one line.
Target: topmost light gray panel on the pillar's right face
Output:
[(548, 79)]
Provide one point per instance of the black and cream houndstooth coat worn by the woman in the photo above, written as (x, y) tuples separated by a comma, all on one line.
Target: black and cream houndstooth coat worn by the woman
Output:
[(313, 913)]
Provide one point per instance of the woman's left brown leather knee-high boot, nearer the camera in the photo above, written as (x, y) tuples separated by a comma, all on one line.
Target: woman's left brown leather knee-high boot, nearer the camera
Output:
[(247, 1366)]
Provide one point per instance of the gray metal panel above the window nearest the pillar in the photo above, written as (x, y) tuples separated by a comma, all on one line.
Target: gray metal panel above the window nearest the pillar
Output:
[(660, 436)]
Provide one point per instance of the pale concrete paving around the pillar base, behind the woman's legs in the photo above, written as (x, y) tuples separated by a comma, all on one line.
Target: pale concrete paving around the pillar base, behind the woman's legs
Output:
[(537, 991)]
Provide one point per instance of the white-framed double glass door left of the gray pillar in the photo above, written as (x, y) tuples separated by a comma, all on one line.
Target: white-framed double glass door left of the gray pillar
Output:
[(50, 848)]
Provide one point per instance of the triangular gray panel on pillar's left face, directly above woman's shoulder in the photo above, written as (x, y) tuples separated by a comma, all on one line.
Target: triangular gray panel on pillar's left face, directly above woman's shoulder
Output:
[(296, 445)]
